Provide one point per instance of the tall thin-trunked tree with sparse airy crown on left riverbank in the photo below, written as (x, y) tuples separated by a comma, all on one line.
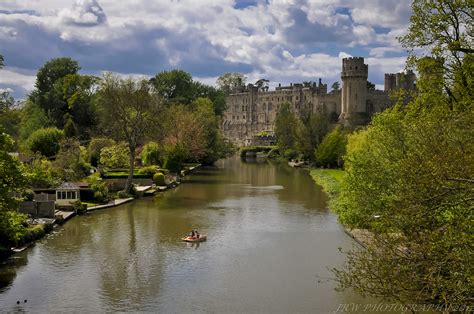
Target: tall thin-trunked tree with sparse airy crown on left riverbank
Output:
[(128, 111)]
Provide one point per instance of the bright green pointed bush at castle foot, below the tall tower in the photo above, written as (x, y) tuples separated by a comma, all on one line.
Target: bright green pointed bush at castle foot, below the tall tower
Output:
[(332, 148)]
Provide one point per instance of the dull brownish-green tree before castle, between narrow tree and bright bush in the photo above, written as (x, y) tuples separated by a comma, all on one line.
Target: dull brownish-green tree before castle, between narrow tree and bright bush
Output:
[(310, 131)]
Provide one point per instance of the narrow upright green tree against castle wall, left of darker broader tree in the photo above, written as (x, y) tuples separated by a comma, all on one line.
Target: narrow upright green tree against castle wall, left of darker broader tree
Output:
[(285, 128)]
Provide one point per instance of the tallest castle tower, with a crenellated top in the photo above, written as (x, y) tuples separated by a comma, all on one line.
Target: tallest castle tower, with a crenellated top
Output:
[(354, 91)]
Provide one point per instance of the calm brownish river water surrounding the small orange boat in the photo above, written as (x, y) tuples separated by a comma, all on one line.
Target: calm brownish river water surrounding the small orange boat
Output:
[(270, 239)]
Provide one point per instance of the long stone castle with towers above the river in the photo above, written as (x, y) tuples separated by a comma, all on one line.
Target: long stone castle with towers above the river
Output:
[(252, 110)]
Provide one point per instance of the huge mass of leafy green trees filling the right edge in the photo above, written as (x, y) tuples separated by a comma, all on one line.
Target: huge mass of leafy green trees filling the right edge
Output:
[(409, 175)]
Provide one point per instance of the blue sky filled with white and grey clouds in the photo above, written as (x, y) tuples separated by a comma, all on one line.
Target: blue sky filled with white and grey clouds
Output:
[(280, 40)]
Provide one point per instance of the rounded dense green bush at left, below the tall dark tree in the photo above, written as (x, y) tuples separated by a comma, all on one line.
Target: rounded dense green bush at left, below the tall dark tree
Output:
[(45, 141)]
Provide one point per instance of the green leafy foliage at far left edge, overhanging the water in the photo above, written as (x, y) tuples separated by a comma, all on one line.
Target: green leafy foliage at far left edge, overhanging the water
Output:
[(12, 182)]
